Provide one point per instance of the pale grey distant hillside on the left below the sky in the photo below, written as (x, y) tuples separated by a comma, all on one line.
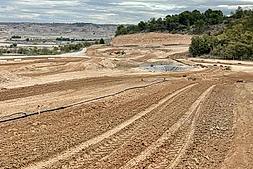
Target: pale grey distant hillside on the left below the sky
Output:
[(54, 30)]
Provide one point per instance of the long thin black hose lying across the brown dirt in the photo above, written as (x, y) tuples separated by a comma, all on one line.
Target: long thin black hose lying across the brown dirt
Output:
[(19, 115)]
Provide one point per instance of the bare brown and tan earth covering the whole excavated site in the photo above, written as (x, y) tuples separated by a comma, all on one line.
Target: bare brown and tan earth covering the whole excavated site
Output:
[(196, 118)]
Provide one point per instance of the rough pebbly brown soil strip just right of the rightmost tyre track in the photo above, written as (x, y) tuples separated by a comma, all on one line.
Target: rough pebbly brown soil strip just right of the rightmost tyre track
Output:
[(213, 134)]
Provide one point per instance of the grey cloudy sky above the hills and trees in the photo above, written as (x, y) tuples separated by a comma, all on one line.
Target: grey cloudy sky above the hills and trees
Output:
[(106, 11)]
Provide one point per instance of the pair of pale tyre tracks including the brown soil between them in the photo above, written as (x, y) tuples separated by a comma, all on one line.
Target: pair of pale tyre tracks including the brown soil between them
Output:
[(167, 123)]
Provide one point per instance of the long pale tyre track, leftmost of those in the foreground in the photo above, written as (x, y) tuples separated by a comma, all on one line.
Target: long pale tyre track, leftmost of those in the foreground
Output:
[(105, 135)]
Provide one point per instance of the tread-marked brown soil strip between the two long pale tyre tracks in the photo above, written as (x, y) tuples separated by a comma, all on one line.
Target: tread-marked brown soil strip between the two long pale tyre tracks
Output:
[(152, 127)]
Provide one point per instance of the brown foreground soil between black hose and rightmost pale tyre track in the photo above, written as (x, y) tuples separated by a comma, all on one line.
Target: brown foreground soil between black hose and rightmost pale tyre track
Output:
[(150, 128)]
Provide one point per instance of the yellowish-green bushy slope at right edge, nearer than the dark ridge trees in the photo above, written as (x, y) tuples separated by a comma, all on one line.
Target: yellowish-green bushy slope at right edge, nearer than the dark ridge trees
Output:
[(234, 42)]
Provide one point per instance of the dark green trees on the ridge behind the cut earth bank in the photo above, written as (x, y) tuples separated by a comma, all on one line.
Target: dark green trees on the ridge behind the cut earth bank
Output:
[(193, 22)]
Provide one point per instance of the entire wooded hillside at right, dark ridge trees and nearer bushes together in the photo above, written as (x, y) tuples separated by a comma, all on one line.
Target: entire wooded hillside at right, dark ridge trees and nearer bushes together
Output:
[(226, 37)]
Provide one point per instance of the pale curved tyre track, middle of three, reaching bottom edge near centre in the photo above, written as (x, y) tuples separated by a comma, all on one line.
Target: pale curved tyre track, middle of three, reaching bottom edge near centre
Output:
[(154, 146)]
